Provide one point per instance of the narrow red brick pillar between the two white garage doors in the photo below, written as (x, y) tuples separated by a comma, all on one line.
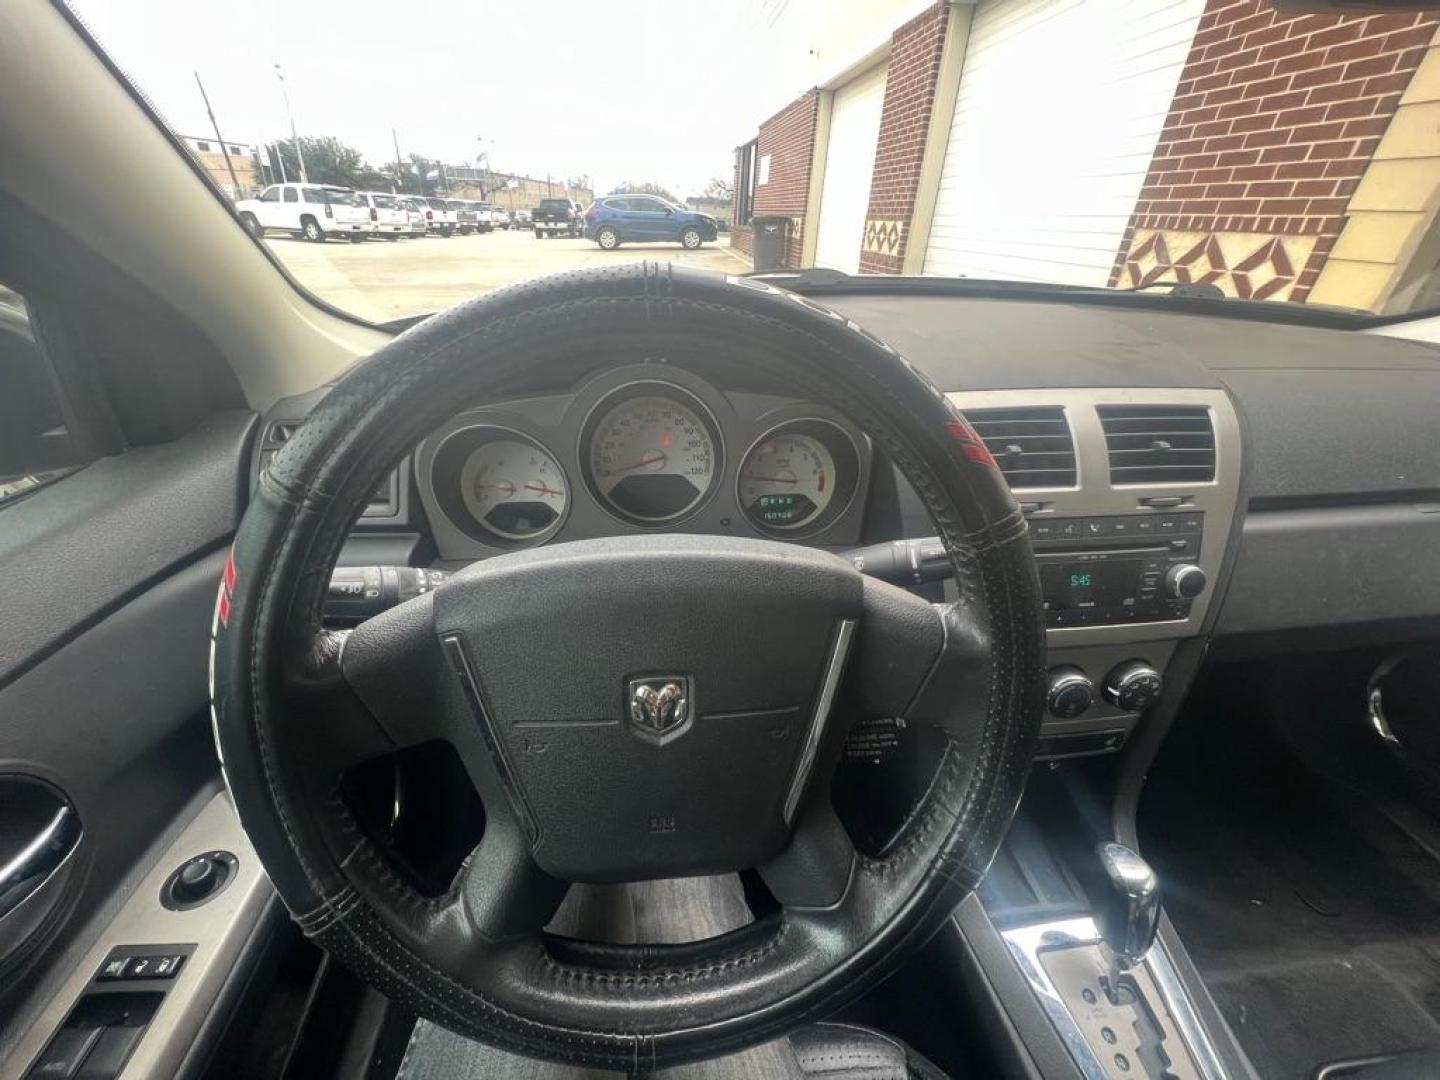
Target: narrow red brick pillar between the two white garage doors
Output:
[(905, 120)]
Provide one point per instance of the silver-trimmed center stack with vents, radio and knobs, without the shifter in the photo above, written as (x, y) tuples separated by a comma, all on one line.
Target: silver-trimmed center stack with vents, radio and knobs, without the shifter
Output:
[(1130, 496)]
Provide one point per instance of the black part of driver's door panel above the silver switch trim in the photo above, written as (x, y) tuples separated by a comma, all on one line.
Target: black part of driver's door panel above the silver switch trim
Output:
[(104, 688)]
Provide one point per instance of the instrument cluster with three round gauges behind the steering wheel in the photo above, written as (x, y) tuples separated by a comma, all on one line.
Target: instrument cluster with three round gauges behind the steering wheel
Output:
[(644, 453)]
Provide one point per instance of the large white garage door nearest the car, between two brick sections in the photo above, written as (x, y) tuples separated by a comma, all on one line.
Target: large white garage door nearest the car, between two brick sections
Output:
[(1059, 110)]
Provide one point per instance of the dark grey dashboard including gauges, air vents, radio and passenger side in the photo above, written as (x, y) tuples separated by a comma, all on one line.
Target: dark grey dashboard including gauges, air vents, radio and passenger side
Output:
[(1187, 479)]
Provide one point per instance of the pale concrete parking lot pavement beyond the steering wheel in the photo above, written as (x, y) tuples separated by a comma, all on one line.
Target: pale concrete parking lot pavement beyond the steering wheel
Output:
[(384, 280)]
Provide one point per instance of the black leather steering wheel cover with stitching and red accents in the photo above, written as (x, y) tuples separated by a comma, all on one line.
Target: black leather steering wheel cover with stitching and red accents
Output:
[(673, 1007)]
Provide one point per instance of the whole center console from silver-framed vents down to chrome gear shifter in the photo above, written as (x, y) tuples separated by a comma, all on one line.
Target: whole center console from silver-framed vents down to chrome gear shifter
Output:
[(1131, 499)]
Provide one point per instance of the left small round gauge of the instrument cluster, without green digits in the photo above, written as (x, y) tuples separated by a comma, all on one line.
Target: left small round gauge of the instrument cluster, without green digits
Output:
[(513, 489)]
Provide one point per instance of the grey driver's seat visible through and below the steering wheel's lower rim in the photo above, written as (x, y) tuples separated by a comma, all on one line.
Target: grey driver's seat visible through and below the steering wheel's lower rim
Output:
[(673, 912)]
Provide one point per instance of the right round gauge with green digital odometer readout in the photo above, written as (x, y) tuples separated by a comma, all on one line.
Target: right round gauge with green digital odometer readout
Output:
[(800, 476)]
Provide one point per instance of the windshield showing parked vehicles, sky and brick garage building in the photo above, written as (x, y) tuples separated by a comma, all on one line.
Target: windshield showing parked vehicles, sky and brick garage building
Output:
[(1264, 152)]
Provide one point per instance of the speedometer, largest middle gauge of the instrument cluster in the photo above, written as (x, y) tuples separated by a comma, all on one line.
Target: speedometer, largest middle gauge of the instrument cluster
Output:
[(654, 453)]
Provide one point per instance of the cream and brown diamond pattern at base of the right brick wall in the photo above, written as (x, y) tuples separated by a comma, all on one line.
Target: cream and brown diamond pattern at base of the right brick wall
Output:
[(1243, 266)]
